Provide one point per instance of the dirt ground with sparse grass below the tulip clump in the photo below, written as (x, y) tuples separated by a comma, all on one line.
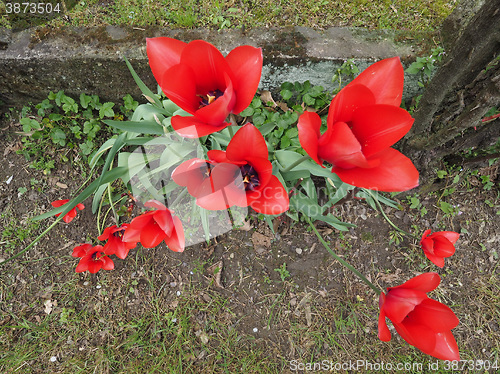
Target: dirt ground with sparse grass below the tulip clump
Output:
[(239, 312)]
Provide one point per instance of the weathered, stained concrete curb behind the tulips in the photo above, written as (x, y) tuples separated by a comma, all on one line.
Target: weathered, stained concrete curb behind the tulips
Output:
[(36, 61)]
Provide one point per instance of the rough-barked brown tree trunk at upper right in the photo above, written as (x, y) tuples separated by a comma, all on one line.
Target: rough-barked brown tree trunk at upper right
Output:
[(464, 88)]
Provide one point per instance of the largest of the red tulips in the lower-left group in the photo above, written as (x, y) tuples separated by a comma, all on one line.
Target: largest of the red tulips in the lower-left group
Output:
[(153, 227)]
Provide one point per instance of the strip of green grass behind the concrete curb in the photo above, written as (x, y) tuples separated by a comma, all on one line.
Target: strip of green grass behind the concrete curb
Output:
[(416, 15)]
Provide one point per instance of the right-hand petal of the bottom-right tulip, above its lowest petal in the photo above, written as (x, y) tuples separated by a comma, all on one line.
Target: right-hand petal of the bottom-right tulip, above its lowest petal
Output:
[(434, 315)]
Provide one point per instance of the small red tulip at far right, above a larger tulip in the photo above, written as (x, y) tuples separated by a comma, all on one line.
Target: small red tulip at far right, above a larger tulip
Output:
[(439, 245)]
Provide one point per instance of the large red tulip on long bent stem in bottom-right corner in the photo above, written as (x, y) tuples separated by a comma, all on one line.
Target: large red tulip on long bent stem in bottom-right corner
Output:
[(422, 322)]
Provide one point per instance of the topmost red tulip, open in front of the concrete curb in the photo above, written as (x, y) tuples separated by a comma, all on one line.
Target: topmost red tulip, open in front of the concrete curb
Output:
[(199, 79)]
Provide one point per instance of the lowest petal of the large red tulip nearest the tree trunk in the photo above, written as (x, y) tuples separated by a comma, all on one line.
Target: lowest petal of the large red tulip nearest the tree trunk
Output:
[(395, 172)]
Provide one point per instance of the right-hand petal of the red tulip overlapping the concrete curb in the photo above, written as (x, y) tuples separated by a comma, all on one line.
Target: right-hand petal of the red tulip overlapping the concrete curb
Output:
[(246, 64)]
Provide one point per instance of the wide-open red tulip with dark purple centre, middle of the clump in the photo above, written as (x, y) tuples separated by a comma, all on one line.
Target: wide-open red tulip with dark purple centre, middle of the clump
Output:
[(241, 176)]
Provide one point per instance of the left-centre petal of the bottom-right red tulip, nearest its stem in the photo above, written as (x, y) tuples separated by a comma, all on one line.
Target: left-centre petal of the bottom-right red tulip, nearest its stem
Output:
[(400, 302)]
